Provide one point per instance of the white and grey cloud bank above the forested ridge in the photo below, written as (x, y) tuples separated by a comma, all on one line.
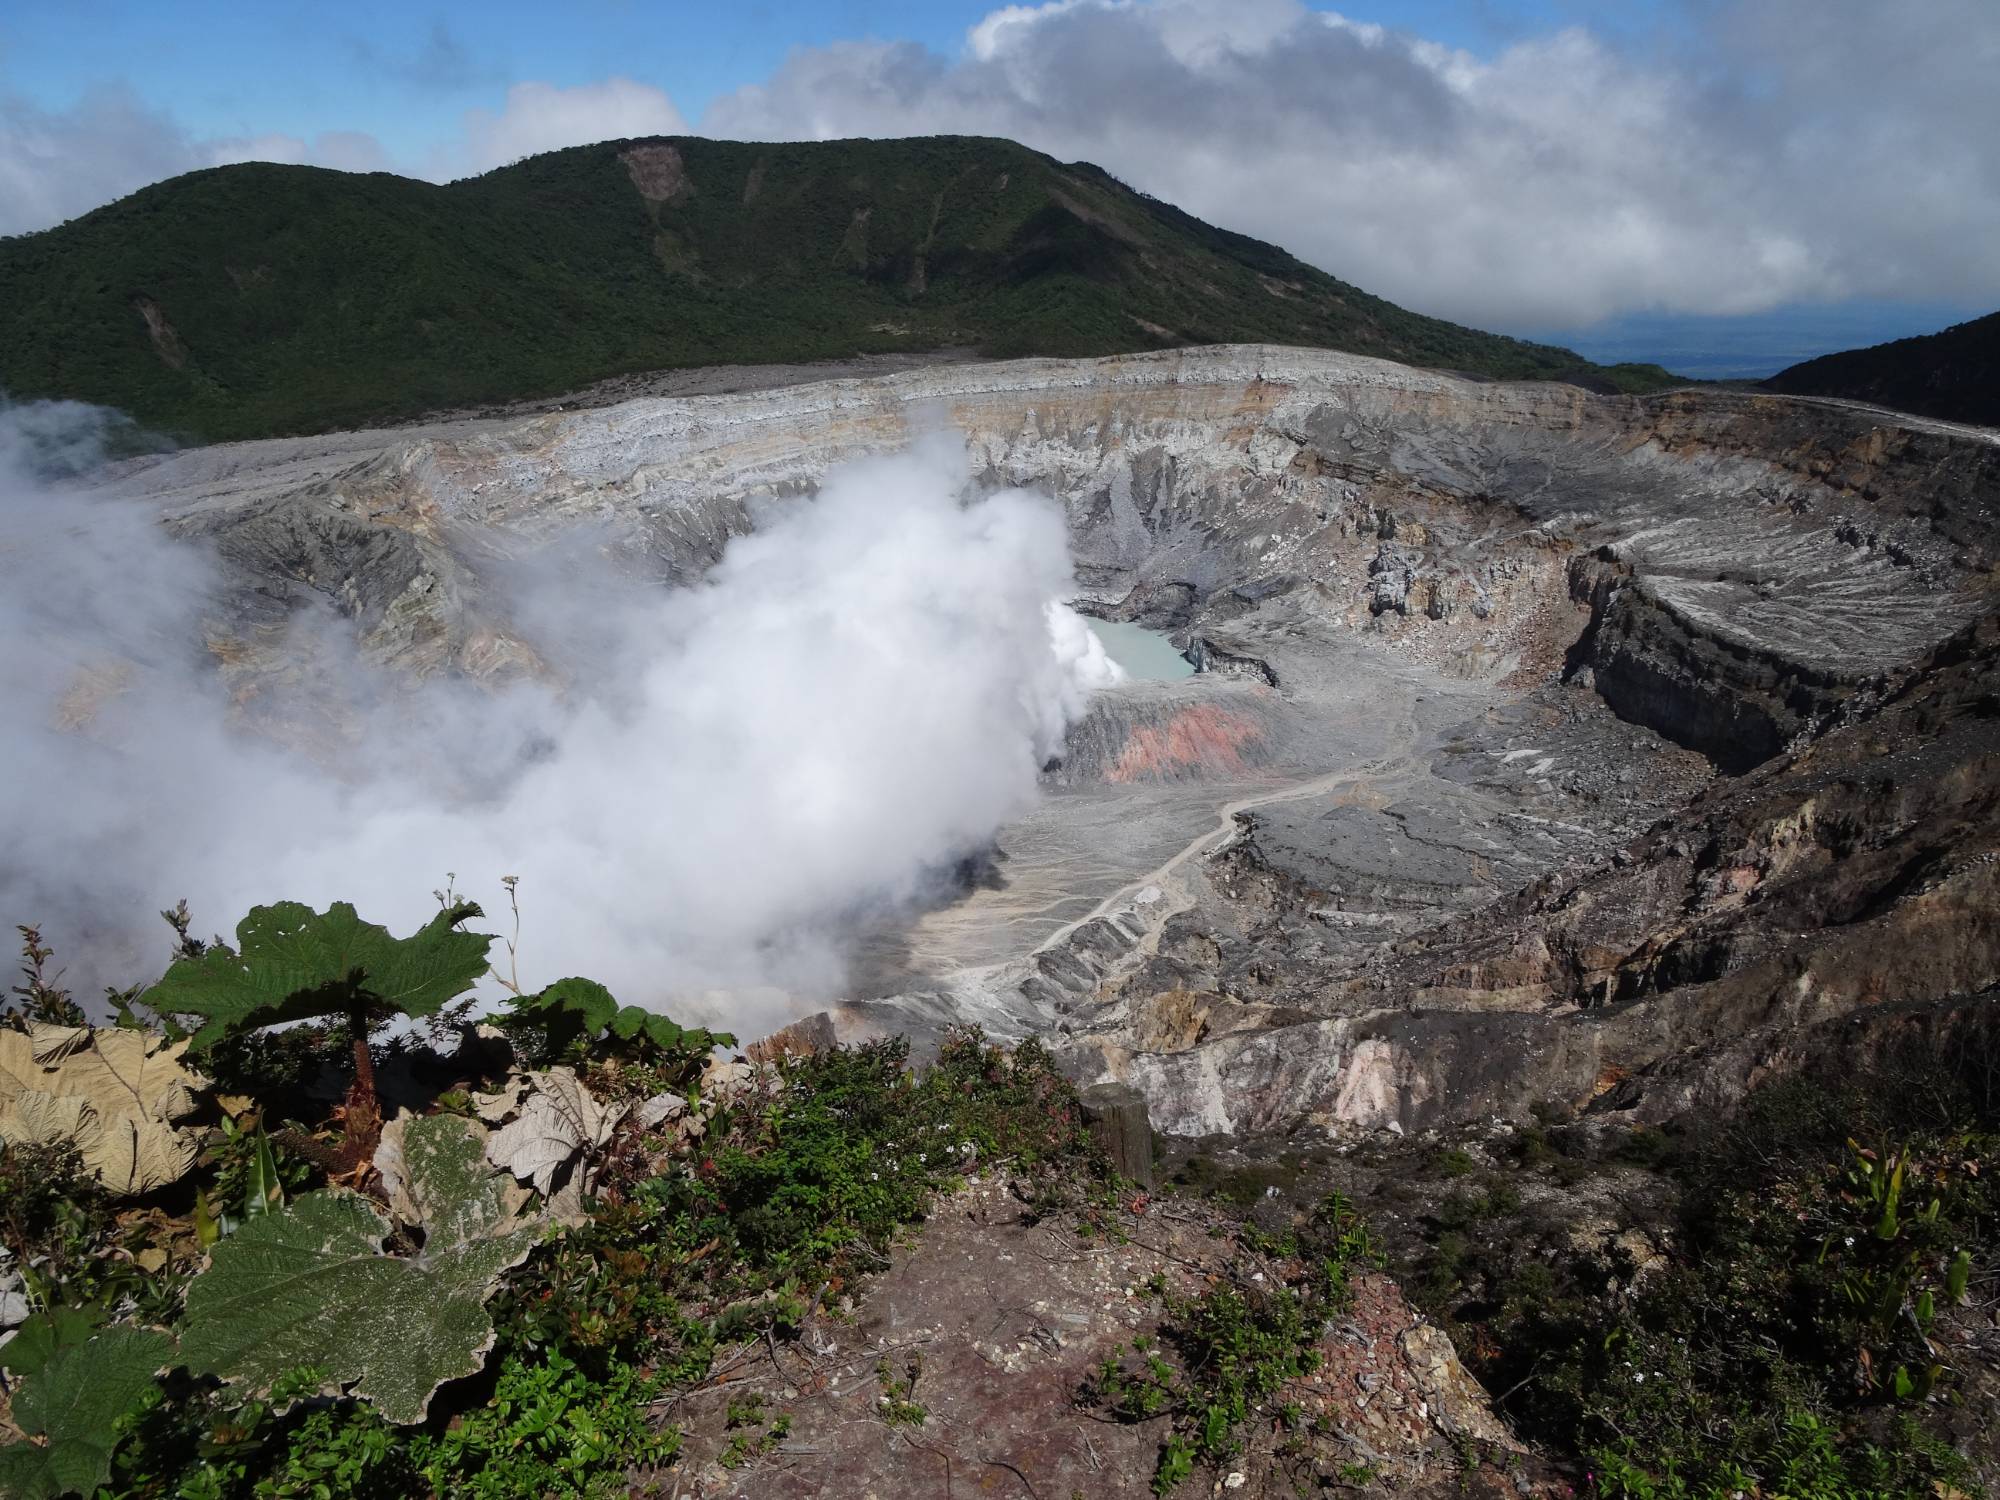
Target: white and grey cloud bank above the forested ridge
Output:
[(1779, 151)]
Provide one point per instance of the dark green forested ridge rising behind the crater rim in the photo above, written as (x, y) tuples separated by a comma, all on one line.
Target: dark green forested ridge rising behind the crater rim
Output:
[(259, 299)]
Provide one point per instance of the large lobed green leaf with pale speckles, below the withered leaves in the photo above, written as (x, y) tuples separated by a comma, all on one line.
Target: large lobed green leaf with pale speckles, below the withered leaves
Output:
[(311, 1287)]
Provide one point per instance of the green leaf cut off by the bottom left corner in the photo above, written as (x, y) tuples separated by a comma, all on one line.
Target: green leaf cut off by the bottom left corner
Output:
[(71, 1409)]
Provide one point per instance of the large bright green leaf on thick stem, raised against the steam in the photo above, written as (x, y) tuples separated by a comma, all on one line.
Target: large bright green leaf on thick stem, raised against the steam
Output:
[(293, 963)]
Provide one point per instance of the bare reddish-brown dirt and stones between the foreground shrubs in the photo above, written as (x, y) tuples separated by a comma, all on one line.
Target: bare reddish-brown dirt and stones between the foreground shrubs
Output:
[(985, 1331)]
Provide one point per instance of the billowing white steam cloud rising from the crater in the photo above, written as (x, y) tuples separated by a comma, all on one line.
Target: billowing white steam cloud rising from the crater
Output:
[(731, 777)]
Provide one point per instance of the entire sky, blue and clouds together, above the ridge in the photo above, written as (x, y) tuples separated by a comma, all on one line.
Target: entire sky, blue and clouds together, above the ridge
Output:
[(1723, 185)]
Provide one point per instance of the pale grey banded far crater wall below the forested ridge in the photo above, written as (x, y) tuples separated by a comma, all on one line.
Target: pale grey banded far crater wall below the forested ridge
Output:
[(1729, 569)]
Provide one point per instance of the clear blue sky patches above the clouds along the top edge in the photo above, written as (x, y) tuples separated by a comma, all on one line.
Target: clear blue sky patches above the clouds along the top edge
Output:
[(405, 73)]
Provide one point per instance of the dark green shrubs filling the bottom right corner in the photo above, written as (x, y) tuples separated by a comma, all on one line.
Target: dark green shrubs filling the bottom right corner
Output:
[(1765, 1357)]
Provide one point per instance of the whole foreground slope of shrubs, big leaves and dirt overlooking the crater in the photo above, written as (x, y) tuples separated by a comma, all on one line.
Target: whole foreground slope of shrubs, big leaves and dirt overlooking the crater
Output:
[(299, 1227)]
